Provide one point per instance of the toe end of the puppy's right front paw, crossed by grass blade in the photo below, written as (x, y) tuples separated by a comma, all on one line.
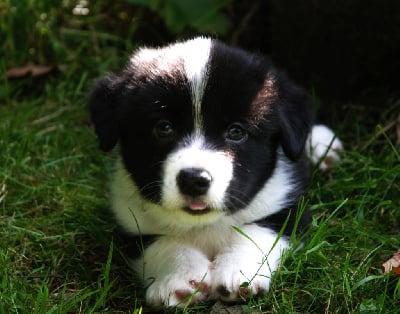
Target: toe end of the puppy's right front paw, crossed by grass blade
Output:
[(237, 278)]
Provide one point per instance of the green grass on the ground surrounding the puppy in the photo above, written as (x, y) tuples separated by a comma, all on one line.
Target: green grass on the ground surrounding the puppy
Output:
[(58, 250)]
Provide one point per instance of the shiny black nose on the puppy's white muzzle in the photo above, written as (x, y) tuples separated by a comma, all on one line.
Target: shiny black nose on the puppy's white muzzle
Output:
[(193, 181)]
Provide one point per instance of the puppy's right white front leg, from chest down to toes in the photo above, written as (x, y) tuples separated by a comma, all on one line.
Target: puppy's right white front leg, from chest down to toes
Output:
[(245, 267)]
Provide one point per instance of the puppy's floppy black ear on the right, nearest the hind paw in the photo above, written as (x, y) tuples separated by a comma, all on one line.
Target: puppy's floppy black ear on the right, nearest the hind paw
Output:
[(295, 115)]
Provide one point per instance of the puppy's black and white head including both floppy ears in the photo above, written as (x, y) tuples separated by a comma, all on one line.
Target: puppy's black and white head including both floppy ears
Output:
[(199, 124)]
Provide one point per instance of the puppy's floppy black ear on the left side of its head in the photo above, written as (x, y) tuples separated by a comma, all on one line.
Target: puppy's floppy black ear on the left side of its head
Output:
[(103, 107)]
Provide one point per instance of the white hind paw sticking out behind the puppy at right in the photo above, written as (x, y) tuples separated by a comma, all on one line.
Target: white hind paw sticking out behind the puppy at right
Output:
[(323, 148)]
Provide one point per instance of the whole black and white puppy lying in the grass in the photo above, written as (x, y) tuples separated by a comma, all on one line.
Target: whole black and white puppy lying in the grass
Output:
[(211, 145)]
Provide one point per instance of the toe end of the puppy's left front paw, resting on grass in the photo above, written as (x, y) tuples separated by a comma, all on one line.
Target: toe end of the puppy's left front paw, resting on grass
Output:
[(179, 290)]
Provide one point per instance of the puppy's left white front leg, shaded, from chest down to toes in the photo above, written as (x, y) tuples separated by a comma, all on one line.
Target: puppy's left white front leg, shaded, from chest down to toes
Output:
[(177, 273)]
